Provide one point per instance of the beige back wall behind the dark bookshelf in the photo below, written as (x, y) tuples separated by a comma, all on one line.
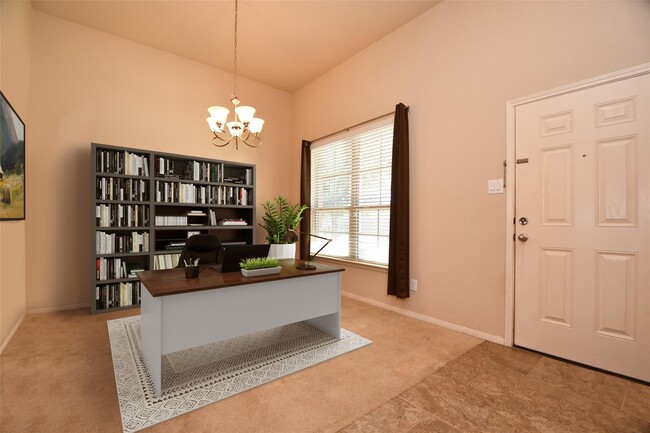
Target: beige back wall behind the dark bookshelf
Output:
[(88, 86)]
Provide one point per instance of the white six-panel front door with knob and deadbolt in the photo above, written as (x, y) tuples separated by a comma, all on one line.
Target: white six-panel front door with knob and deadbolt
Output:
[(582, 215)]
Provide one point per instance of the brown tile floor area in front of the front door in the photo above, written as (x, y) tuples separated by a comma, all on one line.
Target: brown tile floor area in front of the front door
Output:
[(498, 389)]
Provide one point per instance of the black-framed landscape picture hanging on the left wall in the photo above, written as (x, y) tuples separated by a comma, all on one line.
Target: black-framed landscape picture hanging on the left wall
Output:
[(12, 163)]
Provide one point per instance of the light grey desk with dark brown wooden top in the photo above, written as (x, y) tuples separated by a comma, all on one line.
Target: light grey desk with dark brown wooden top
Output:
[(180, 313)]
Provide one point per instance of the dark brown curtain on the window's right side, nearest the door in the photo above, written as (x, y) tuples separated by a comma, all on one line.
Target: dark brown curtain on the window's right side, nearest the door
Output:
[(398, 243)]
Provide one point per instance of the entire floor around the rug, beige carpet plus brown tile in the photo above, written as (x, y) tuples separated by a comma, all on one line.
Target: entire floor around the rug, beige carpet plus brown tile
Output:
[(56, 375)]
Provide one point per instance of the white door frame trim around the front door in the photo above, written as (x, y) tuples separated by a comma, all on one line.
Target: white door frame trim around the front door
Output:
[(511, 184)]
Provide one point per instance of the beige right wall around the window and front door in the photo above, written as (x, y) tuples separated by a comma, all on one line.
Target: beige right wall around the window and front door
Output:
[(456, 66)]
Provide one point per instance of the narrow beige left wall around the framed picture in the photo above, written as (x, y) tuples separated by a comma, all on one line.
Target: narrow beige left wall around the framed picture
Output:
[(15, 60)]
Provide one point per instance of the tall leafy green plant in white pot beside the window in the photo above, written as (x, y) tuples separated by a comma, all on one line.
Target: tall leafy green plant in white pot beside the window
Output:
[(278, 219)]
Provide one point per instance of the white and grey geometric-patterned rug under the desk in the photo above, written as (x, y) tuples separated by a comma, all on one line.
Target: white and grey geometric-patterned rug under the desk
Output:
[(199, 376)]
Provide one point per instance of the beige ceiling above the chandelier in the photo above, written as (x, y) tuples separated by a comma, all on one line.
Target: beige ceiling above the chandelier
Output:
[(285, 44)]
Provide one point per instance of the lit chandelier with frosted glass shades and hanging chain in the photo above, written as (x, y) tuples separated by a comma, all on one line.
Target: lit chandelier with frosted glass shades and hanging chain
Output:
[(245, 127)]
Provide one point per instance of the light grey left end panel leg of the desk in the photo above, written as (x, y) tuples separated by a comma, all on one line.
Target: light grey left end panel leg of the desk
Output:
[(151, 337)]
